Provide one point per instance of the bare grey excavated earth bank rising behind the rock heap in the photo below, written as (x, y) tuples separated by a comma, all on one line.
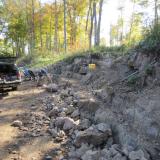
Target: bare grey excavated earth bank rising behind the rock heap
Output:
[(126, 92)]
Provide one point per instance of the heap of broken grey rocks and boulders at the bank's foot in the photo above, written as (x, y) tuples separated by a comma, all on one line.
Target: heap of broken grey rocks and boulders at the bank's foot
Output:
[(85, 138)]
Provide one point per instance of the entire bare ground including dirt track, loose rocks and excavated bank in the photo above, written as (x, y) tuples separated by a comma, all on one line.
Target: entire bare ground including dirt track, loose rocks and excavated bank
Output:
[(109, 113)]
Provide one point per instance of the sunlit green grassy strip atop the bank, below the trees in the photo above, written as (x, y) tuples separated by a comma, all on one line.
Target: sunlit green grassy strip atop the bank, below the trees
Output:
[(43, 59)]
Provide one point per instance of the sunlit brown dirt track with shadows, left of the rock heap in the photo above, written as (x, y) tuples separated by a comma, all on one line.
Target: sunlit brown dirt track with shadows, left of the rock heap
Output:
[(13, 145)]
